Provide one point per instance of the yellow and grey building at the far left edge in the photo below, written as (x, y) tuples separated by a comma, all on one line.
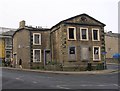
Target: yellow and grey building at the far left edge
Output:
[(6, 43)]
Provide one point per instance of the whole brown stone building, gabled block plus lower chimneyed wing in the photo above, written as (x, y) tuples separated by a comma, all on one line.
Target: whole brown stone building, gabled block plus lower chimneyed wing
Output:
[(74, 43)]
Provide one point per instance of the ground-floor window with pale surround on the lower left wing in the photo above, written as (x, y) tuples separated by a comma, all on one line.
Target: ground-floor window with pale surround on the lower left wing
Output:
[(36, 55)]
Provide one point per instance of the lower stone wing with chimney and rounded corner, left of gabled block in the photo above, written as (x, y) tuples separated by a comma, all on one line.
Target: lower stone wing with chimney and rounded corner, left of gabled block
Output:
[(30, 45)]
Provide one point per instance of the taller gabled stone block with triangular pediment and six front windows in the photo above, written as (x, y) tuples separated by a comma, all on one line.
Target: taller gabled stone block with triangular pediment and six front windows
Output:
[(78, 41)]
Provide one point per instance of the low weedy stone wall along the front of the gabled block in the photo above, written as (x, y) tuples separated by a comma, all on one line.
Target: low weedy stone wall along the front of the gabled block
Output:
[(88, 67)]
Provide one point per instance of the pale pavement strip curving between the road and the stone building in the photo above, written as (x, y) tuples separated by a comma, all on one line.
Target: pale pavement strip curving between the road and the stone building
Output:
[(107, 71)]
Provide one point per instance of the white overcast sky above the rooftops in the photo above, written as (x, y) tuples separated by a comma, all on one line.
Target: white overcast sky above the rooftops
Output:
[(47, 13)]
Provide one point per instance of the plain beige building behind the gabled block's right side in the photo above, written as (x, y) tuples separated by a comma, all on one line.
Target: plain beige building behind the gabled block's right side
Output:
[(112, 42)]
